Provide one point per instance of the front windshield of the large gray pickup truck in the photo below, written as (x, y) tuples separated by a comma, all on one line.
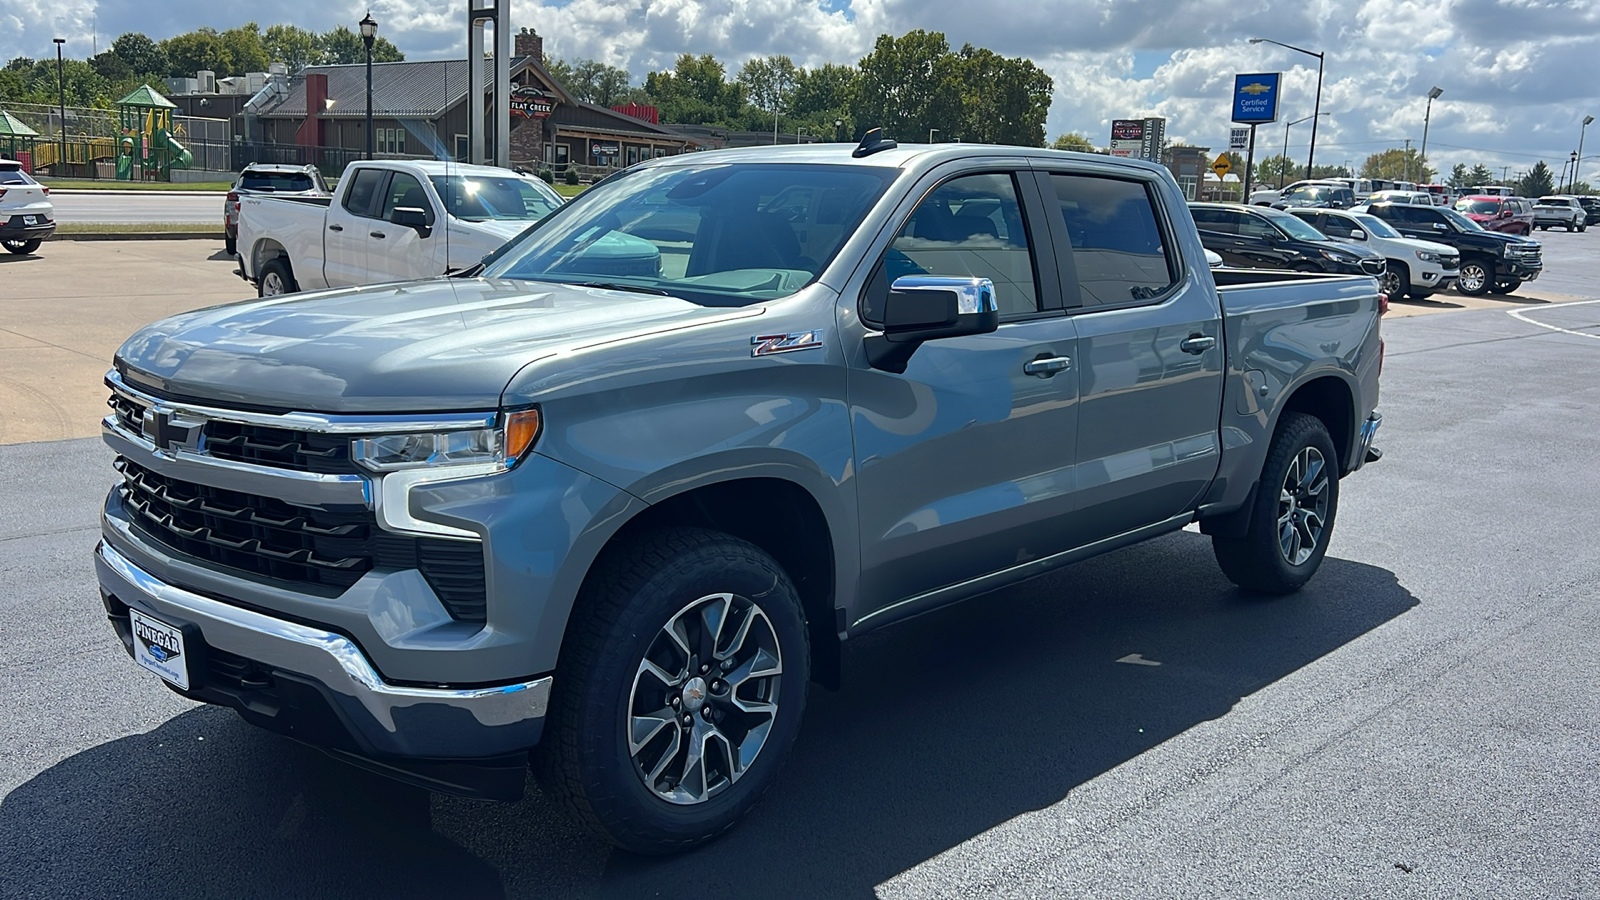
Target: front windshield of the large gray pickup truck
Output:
[(711, 235)]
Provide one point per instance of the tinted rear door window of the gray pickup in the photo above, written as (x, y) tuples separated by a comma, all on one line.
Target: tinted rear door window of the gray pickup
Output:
[(1119, 247)]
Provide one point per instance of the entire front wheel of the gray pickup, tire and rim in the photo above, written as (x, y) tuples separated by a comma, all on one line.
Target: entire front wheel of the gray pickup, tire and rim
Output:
[(681, 689)]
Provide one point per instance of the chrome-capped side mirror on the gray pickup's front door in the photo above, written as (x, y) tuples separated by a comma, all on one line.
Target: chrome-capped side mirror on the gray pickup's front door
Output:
[(927, 308)]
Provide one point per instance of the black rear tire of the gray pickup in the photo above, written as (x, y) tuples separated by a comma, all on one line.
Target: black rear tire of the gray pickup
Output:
[(1258, 563)]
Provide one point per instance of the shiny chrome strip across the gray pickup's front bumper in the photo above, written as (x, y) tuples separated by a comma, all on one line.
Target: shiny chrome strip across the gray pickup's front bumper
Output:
[(330, 659)]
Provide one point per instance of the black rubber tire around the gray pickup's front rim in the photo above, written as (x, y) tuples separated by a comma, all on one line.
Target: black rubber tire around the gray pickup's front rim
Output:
[(638, 590)]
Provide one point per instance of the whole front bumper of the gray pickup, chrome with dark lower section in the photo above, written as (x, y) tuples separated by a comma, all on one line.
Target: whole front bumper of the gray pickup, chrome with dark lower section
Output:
[(319, 688)]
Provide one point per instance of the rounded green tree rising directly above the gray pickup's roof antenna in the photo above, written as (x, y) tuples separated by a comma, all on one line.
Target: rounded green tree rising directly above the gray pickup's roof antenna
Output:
[(911, 86)]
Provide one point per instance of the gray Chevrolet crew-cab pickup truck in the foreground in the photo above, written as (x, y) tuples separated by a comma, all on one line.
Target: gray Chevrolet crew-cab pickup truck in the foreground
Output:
[(615, 521)]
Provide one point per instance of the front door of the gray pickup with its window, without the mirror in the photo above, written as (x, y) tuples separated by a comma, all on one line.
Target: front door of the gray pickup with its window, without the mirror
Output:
[(966, 460)]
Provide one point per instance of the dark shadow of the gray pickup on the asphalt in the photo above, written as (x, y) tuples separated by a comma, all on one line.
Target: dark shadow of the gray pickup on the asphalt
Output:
[(948, 726)]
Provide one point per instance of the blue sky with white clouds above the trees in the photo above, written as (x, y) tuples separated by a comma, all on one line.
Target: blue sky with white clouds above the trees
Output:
[(1519, 76)]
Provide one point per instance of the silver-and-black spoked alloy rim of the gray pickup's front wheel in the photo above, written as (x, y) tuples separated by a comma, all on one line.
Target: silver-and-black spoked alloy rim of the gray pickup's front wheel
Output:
[(705, 699)]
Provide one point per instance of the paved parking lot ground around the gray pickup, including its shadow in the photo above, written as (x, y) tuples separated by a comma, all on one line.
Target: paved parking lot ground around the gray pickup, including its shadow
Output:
[(1418, 723)]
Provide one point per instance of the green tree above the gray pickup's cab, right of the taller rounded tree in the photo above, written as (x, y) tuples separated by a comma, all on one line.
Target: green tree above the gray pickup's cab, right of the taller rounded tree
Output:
[(1004, 100)]
